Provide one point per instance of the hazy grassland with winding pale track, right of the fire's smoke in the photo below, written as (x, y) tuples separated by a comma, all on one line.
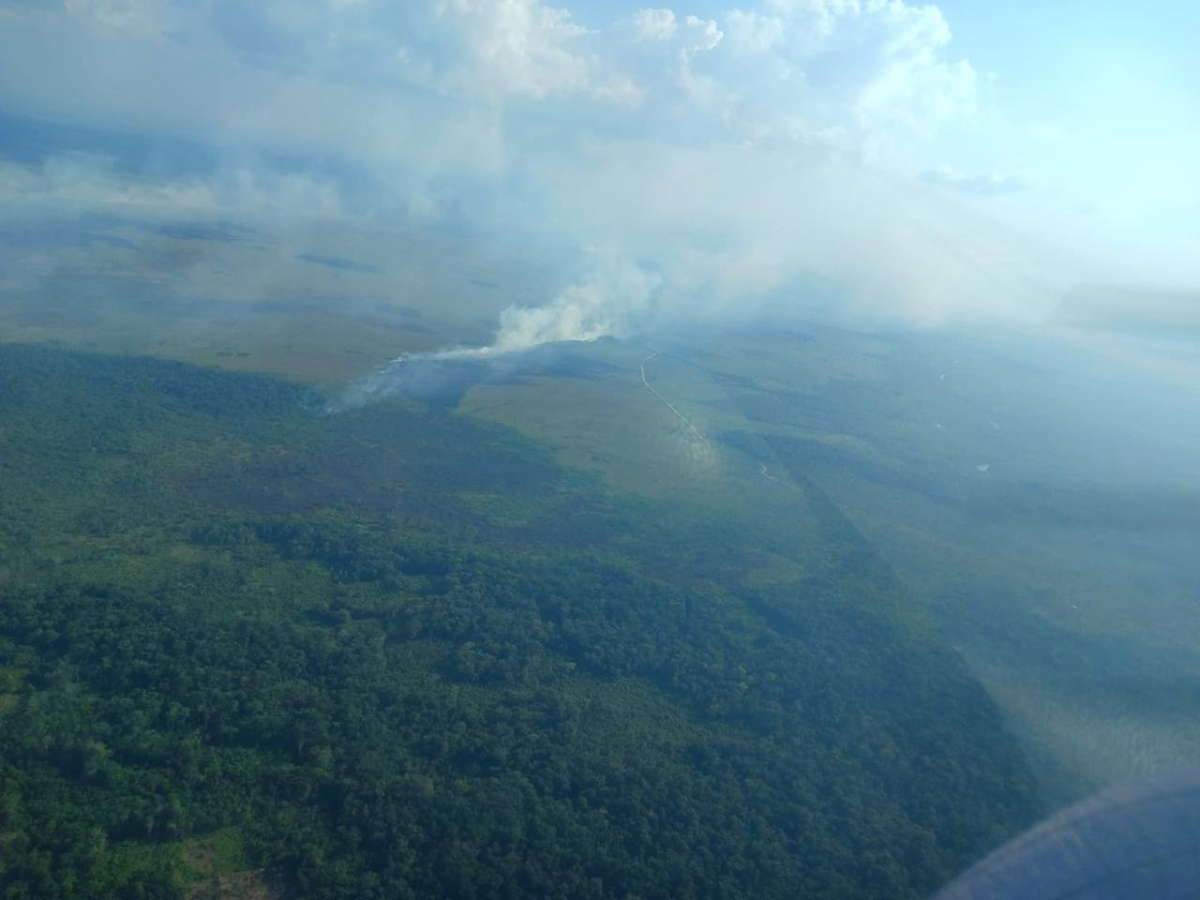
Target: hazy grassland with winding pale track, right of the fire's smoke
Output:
[(1029, 525)]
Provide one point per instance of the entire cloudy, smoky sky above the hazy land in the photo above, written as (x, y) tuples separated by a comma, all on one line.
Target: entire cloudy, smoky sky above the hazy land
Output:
[(985, 163)]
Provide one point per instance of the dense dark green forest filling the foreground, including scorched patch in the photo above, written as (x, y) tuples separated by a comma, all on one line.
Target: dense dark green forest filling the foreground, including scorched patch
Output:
[(253, 649)]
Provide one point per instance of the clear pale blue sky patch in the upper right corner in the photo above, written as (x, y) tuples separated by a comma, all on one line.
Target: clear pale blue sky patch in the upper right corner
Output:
[(1123, 76)]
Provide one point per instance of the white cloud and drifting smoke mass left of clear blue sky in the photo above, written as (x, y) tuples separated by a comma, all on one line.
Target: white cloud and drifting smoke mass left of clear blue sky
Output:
[(731, 158)]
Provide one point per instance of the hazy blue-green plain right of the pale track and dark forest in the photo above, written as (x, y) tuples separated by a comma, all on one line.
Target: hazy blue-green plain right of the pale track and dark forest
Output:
[(1065, 573)]
